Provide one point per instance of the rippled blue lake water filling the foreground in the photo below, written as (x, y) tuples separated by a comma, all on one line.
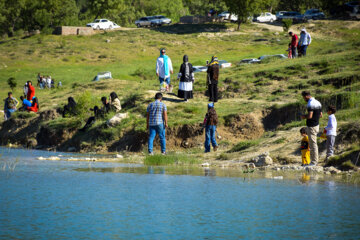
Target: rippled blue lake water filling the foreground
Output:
[(99, 200)]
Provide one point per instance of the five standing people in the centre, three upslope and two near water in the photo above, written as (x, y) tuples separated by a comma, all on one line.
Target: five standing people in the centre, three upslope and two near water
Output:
[(156, 120)]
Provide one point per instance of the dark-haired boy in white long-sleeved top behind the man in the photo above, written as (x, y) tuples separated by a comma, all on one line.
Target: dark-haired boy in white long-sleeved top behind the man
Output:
[(330, 131)]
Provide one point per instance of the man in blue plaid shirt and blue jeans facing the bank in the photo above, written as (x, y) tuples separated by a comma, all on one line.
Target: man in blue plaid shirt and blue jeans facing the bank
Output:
[(156, 122)]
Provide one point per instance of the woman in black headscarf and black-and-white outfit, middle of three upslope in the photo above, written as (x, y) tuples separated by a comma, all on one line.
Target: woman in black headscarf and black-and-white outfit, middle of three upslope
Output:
[(186, 76)]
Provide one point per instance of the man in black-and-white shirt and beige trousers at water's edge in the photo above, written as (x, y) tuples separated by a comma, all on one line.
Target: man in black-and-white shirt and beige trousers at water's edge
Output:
[(312, 122)]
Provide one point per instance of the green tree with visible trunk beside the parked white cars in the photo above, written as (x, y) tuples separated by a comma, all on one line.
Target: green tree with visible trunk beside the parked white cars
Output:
[(244, 8)]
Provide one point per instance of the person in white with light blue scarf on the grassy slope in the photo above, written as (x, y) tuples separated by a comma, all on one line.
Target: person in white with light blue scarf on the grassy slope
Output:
[(164, 67)]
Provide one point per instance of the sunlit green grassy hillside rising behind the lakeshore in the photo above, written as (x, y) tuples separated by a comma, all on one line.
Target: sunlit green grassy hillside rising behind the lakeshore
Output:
[(330, 71)]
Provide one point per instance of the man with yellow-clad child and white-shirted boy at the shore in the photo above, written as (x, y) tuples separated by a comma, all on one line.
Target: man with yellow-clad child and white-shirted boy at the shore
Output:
[(309, 147)]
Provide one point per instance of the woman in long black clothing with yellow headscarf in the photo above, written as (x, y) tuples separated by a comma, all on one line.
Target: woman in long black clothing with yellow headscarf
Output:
[(212, 79)]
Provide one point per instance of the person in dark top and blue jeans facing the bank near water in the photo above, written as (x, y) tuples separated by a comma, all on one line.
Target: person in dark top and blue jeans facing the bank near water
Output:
[(210, 122)]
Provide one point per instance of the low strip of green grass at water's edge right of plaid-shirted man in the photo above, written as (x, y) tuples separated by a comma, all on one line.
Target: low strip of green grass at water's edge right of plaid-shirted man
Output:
[(171, 159)]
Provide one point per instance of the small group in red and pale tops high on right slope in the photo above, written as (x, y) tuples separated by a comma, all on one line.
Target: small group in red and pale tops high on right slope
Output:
[(298, 47)]
